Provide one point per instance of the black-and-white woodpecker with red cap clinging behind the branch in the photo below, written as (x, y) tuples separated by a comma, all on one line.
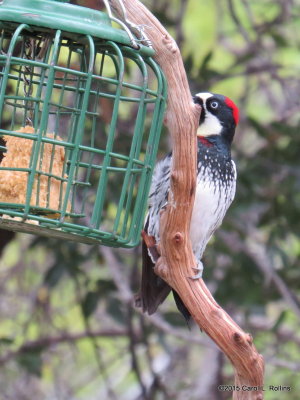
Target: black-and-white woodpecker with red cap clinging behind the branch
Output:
[(215, 191)]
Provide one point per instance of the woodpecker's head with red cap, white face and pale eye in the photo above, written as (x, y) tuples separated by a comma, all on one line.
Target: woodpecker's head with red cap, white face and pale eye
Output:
[(219, 116)]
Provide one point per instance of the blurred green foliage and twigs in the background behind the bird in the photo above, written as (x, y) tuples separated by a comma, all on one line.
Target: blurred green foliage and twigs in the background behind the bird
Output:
[(68, 329)]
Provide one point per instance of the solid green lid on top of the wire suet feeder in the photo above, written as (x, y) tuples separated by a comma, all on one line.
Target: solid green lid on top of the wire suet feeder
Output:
[(57, 14)]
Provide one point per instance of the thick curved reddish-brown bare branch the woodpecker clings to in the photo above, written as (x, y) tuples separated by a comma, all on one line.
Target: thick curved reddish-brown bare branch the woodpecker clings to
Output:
[(177, 259)]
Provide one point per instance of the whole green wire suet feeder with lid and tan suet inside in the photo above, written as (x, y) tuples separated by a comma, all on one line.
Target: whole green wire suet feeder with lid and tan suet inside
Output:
[(81, 112)]
